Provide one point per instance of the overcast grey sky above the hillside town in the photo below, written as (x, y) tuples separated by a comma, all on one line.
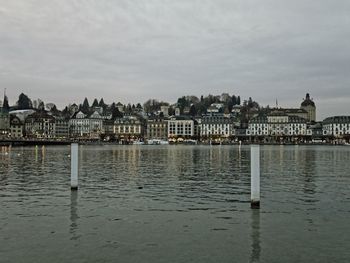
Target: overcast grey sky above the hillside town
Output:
[(62, 51)]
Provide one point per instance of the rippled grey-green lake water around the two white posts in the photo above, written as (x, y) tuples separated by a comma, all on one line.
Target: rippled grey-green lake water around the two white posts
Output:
[(174, 204)]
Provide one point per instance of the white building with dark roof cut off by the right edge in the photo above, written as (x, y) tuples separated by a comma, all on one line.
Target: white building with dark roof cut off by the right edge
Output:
[(338, 126)]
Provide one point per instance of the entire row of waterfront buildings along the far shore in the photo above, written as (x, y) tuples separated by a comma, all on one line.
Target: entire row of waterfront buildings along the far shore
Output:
[(270, 125)]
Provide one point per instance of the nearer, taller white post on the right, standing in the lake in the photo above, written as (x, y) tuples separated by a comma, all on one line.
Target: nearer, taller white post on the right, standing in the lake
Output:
[(255, 176)]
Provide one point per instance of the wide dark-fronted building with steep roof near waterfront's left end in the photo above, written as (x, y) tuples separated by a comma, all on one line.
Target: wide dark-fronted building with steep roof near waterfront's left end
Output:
[(40, 124)]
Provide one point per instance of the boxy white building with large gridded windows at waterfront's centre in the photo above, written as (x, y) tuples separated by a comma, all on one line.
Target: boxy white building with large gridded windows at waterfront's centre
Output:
[(181, 127)]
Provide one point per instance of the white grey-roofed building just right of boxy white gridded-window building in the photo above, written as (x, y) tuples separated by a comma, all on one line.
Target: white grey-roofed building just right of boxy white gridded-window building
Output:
[(216, 126)]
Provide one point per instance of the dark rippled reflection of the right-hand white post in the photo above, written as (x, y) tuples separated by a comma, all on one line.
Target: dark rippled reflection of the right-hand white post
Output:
[(255, 236)]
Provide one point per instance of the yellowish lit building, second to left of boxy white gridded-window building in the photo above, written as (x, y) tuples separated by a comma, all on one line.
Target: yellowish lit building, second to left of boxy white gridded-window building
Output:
[(129, 128)]
